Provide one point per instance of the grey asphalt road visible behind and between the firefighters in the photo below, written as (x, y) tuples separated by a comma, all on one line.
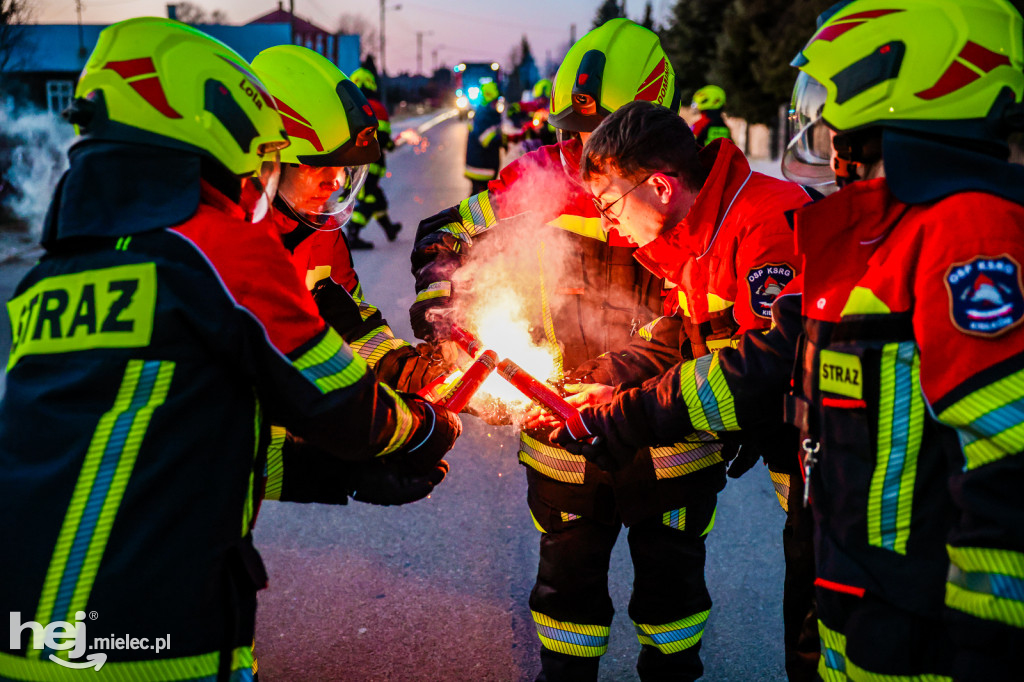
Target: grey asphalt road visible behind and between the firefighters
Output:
[(437, 591)]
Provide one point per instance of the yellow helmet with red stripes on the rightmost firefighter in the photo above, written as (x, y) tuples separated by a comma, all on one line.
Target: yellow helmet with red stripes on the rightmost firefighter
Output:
[(919, 65)]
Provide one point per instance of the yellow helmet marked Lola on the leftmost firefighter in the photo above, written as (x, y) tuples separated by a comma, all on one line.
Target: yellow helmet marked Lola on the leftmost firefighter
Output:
[(160, 82)]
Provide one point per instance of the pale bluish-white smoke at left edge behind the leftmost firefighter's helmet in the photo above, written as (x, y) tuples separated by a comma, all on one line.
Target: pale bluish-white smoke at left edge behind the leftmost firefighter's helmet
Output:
[(33, 156)]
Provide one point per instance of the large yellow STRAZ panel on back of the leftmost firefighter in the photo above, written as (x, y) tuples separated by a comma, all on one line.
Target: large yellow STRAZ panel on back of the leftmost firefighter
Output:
[(106, 309)]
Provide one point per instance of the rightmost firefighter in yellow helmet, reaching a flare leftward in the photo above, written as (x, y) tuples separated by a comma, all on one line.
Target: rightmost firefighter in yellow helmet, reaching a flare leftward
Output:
[(901, 358)]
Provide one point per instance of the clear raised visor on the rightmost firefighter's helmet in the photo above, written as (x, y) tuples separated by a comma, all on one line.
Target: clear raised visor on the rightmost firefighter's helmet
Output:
[(808, 156)]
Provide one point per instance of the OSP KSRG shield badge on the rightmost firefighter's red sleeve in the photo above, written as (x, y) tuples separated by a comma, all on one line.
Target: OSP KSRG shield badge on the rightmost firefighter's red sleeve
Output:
[(987, 297)]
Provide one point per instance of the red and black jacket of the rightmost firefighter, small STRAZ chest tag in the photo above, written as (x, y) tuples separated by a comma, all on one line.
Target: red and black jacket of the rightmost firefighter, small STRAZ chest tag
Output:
[(909, 381)]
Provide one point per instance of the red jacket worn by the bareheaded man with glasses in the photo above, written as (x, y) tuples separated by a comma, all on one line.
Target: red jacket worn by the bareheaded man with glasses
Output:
[(730, 259)]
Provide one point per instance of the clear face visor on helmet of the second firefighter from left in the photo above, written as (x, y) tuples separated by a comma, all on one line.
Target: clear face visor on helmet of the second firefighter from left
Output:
[(323, 196)]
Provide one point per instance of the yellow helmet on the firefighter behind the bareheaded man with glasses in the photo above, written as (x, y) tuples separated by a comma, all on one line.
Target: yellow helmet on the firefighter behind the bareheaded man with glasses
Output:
[(614, 65)]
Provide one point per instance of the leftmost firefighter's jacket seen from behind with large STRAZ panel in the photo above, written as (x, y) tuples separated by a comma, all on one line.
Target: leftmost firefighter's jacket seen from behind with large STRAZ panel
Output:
[(146, 366)]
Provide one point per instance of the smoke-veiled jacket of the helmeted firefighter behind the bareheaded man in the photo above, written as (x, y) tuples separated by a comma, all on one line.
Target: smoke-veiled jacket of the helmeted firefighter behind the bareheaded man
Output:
[(590, 295)]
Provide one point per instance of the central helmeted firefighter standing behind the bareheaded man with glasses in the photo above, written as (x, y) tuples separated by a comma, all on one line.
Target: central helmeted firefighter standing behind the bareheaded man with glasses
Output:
[(589, 304)]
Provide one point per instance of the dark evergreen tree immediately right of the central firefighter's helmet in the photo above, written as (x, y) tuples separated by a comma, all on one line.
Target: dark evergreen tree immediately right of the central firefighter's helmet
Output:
[(691, 40)]
